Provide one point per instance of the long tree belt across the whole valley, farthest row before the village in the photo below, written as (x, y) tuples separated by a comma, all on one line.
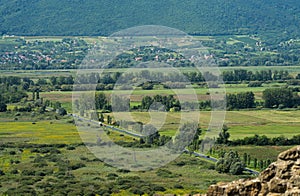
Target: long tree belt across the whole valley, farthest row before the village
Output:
[(146, 80)]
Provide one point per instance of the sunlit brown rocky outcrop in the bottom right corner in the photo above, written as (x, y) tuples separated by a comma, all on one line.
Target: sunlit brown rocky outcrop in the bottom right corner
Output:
[(280, 178)]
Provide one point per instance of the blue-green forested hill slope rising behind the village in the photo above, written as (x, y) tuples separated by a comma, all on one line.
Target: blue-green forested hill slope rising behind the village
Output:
[(103, 17)]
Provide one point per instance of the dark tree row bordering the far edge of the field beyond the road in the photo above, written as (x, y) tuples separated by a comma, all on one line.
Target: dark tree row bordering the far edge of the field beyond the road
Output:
[(273, 98)]
